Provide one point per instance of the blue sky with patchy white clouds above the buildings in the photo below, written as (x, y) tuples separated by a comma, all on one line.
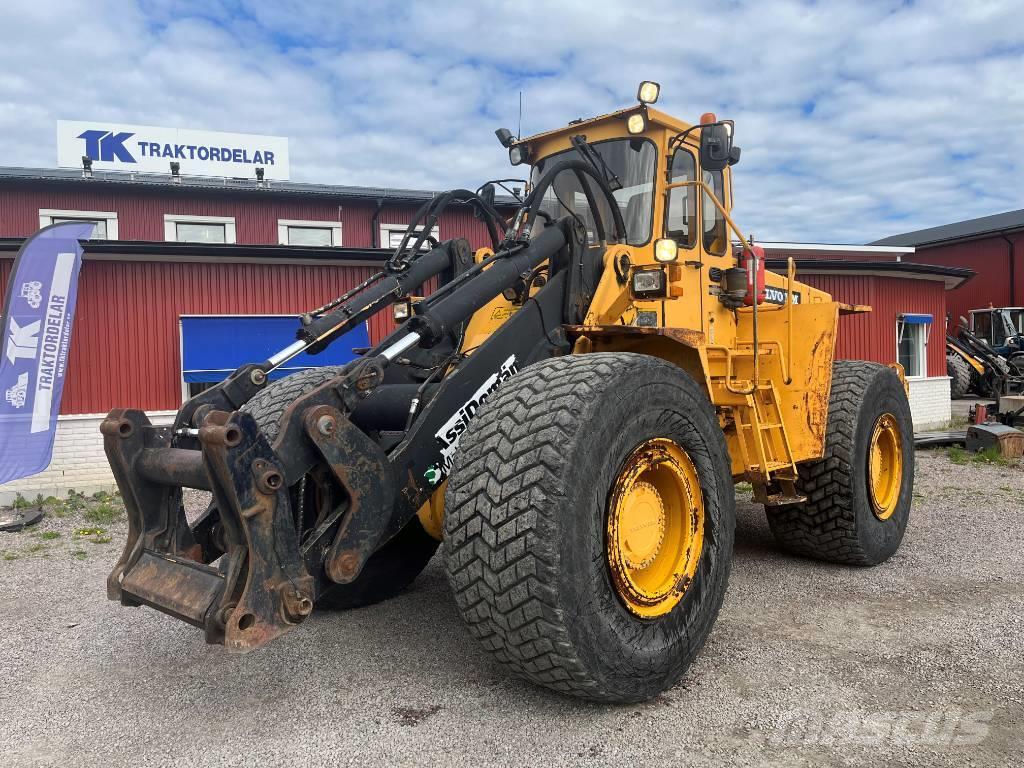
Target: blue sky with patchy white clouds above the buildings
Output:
[(858, 119)]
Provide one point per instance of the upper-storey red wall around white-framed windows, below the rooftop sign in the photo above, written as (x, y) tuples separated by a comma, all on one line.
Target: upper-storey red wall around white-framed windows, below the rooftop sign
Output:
[(141, 212)]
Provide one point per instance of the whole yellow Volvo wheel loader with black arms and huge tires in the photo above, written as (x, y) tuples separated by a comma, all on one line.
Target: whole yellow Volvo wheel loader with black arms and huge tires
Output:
[(566, 413)]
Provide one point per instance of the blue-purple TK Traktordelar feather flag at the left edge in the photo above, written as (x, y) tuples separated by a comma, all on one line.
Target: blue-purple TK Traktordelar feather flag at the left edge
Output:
[(38, 314)]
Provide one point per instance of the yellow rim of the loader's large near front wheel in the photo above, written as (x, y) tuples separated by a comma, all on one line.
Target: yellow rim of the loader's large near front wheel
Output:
[(656, 528)]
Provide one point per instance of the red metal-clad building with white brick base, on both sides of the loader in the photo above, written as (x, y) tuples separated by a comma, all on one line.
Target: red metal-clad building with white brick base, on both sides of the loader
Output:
[(173, 248)]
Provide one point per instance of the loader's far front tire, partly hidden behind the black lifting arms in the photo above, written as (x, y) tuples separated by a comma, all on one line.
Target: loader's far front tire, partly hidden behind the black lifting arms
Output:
[(396, 566)]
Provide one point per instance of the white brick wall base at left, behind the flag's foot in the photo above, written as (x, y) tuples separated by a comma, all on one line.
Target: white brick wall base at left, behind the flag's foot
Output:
[(78, 460)]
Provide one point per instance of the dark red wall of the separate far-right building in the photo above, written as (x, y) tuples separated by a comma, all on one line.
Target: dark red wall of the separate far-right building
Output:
[(996, 282)]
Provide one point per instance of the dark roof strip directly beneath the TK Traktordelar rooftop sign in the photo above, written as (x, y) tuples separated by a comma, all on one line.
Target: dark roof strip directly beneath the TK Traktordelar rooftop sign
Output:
[(222, 185)]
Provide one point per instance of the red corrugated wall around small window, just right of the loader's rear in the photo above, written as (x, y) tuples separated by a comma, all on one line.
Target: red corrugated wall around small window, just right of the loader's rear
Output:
[(873, 336)]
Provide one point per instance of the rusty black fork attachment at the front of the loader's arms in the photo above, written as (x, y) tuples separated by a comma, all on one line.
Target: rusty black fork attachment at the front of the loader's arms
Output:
[(260, 588)]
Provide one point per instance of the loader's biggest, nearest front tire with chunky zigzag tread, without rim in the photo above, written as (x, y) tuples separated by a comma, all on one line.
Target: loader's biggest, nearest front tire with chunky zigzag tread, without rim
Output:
[(527, 520)]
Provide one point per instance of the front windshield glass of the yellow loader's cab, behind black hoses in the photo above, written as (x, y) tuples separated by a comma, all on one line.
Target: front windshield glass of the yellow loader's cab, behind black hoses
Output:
[(634, 162)]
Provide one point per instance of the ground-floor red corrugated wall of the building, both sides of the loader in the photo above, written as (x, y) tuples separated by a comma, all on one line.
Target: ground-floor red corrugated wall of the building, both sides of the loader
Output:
[(125, 349)]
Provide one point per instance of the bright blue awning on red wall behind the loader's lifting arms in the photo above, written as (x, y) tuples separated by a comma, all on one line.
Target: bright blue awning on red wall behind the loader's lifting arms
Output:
[(215, 347)]
